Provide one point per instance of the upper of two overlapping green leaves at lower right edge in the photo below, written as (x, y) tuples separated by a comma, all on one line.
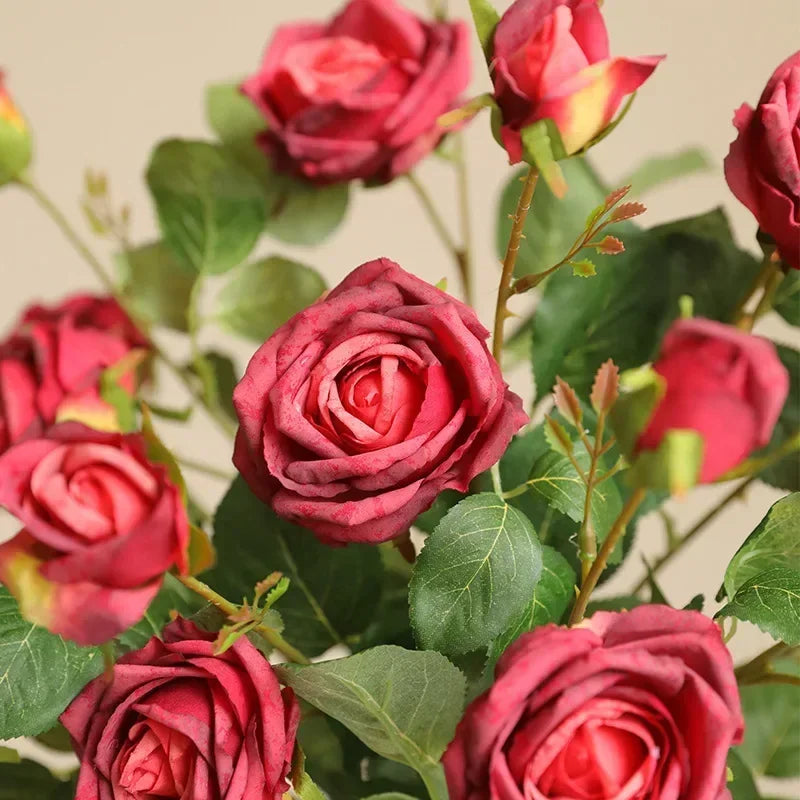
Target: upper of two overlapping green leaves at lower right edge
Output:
[(774, 543)]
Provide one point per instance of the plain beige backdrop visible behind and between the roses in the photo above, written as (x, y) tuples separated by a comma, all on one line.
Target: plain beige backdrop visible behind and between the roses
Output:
[(101, 81)]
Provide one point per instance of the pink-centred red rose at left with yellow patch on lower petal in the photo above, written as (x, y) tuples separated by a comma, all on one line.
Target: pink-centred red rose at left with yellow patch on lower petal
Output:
[(102, 525)]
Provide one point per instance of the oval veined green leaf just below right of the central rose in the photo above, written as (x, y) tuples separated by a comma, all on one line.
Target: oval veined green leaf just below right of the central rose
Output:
[(474, 576)]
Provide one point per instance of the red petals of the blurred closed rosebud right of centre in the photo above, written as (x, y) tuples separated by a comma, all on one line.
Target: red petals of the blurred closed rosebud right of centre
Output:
[(727, 385)]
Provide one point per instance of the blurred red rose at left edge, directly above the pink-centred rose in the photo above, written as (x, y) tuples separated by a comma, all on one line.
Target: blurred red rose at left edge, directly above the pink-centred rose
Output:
[(51, 363)]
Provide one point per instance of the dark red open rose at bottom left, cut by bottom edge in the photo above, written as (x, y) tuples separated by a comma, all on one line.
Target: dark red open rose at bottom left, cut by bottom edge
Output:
[(177, 721)]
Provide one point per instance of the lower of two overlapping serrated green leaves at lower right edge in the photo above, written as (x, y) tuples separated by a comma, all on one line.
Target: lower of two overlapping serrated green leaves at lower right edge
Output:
[(770, 600)]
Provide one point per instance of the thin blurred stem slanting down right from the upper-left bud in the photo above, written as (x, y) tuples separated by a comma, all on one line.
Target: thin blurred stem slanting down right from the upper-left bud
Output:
[(104, 278)]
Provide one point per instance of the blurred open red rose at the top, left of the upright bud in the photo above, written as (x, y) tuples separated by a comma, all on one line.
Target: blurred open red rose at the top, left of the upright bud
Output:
[(360, 96)]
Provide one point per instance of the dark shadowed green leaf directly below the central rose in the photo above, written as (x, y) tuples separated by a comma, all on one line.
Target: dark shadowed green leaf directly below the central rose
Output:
[(333, 591)]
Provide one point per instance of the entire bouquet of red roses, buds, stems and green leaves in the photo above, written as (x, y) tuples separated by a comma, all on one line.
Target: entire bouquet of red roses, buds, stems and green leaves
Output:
[(401, 592)]
